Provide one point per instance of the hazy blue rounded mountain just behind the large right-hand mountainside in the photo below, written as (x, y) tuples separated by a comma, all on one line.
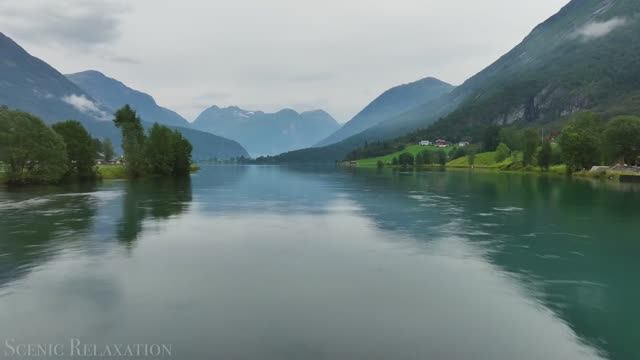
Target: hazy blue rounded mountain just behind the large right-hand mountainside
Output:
[(391, 103)]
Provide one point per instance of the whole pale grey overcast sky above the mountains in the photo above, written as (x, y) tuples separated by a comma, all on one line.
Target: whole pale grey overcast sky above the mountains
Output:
[(270, 54)]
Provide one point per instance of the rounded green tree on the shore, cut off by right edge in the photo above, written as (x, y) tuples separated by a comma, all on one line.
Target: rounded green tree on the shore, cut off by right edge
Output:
[(622, 139)]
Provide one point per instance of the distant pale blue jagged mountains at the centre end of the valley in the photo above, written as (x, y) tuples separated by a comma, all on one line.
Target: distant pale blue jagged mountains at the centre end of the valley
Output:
[(267, 133)]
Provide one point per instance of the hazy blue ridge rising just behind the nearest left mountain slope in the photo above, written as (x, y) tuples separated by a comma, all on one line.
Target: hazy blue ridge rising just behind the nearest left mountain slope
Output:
[(114, 94)]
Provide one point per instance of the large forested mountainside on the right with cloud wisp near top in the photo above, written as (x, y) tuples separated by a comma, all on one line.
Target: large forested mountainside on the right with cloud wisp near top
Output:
[(585, 57)]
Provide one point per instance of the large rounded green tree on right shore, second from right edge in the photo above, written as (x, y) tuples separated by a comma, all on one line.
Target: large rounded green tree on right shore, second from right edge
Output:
[(579, 141)]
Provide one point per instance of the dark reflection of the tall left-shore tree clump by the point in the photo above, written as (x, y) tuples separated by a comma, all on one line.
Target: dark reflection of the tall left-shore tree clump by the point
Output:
[(156, 198)]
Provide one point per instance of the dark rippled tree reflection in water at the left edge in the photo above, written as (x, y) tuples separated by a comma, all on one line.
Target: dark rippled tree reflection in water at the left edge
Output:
[(34, 220)]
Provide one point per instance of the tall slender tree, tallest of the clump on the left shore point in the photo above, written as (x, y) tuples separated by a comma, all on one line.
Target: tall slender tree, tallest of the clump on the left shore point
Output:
[(133, 140)]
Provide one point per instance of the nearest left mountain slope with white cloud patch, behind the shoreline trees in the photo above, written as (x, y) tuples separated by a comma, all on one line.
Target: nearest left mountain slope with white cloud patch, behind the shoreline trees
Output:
[(29, 84)]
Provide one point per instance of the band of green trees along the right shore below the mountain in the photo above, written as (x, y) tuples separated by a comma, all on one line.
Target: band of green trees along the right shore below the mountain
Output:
[(585, 141)]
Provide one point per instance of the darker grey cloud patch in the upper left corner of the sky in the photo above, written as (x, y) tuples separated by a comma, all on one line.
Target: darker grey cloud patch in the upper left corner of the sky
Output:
[(80, 23)]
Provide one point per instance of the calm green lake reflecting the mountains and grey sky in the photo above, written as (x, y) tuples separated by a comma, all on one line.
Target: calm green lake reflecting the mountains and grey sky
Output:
[(277, 263)]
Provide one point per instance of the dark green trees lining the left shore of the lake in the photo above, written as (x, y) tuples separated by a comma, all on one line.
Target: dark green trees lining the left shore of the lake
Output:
[(33, 153)]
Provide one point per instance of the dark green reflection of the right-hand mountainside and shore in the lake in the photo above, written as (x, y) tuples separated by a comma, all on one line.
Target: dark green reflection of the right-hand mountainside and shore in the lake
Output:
[(574, 243)]
